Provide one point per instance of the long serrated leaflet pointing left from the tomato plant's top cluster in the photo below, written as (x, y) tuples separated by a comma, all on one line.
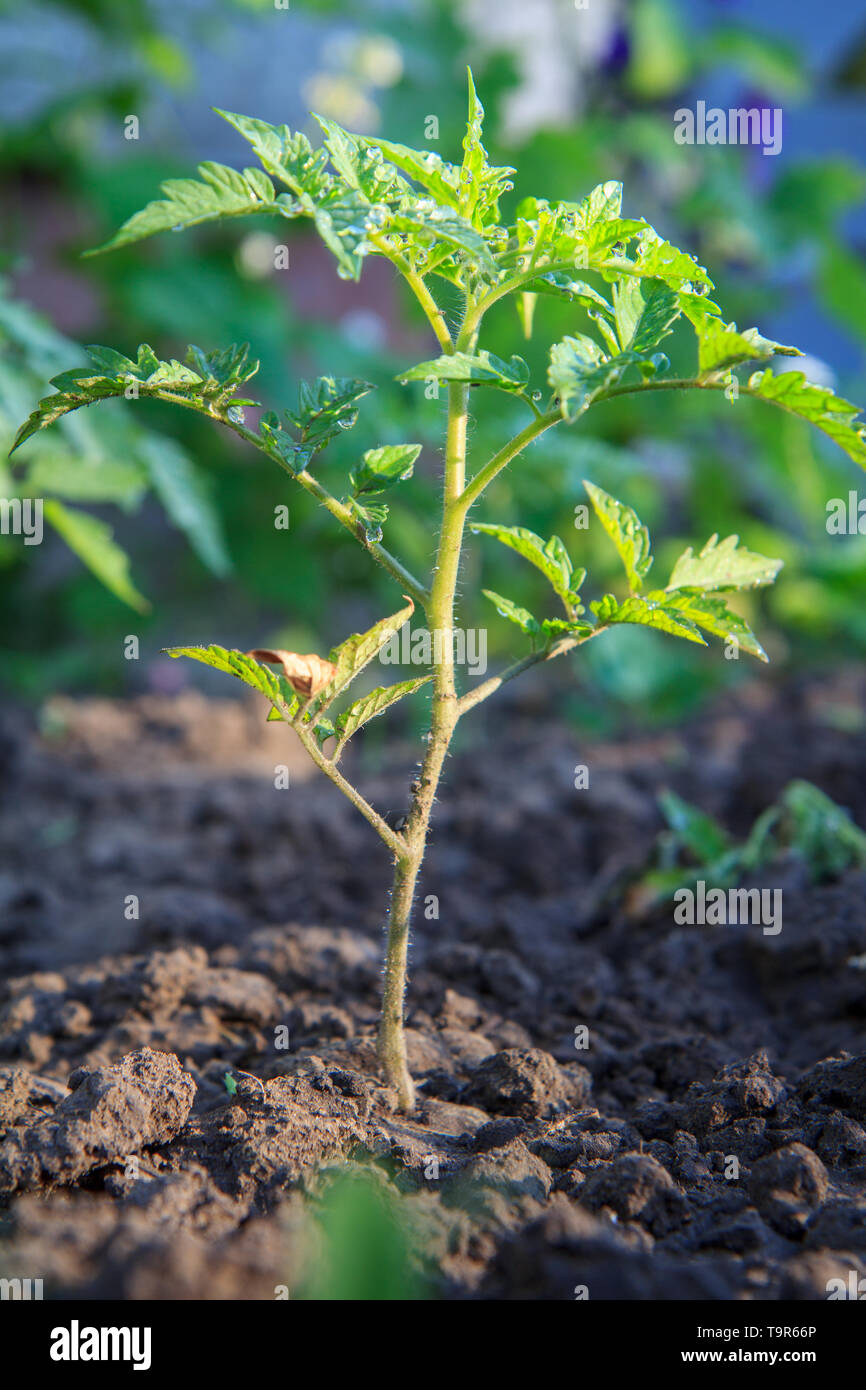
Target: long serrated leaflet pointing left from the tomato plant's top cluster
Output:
[(219, 193)]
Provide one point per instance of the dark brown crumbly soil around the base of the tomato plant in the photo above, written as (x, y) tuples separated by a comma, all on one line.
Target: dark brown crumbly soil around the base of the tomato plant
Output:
[(708, 1143)]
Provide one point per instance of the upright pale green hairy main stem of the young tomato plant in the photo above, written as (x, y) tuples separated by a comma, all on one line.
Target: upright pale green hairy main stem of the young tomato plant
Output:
[(444, 718)]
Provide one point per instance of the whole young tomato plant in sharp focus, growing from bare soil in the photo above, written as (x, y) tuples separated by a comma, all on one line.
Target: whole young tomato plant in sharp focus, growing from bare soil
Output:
[(440, 223)]
